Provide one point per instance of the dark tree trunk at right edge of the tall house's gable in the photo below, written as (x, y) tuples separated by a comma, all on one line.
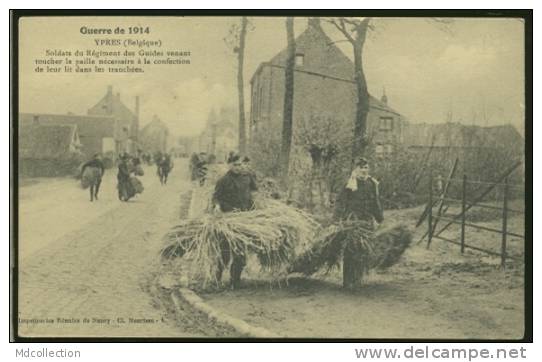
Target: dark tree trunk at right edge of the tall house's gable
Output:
[(362, 104)]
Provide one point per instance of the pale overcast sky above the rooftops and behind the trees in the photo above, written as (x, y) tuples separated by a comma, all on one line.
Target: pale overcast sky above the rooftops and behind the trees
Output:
[(473, 70)]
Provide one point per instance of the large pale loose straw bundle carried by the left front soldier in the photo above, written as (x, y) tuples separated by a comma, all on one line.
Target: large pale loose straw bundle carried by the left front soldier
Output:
[(276, 233)]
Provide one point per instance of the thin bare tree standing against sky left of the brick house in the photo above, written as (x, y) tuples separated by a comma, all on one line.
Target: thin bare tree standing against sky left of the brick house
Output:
[(236, 40)]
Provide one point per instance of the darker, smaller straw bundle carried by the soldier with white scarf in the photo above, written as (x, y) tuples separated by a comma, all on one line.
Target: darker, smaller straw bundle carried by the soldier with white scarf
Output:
[(380, 249)]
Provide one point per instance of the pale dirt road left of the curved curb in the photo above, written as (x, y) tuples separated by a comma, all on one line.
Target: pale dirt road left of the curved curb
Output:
[(87, 269)]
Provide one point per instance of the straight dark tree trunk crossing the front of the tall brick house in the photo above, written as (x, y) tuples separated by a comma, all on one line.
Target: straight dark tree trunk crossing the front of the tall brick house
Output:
[(288, 101)]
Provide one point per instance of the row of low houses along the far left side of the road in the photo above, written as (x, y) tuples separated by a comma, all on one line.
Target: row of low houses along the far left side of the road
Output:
[(55, 144)]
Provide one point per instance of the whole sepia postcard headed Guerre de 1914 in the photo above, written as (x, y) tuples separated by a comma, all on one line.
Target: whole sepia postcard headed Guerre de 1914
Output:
[(272, 177)]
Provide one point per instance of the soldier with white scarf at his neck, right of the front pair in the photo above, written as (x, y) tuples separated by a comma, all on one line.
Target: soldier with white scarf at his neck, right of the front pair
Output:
[(358, 201)]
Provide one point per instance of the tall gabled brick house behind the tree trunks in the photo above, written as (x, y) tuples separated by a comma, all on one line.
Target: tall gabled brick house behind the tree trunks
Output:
[(323, 87)]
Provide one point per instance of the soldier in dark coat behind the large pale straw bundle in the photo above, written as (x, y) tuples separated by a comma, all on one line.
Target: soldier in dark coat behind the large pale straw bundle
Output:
[(233, 192)]
